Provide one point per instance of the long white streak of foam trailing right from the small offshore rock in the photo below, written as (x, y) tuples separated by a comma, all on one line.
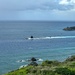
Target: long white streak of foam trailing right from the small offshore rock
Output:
[(51, 37)]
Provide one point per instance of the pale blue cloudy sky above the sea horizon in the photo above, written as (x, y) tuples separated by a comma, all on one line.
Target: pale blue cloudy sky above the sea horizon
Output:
[(50, 10)]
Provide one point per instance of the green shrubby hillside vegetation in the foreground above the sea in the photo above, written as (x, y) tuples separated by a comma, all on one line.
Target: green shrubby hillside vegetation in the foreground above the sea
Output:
[(48, 68)]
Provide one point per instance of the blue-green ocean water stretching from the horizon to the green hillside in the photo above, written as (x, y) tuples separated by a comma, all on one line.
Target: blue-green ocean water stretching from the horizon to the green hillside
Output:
[(50, 42)]
